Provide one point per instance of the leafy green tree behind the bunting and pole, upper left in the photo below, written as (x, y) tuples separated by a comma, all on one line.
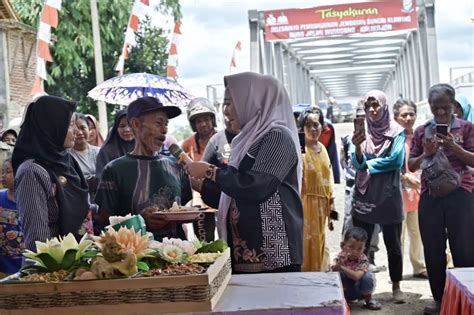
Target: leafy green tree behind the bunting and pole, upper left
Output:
[(71, 74)]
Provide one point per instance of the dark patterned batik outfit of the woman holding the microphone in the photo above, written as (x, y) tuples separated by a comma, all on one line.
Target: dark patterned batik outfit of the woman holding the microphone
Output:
[(265, 218)]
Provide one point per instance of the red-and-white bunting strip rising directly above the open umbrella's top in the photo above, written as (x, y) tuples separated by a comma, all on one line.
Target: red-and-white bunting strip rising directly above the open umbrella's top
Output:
[(139, 10)]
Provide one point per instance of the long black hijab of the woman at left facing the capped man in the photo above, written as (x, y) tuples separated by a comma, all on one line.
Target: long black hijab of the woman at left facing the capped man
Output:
[(42, 138)]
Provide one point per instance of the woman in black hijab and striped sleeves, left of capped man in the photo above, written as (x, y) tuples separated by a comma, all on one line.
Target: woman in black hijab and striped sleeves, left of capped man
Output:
[(51, 192)]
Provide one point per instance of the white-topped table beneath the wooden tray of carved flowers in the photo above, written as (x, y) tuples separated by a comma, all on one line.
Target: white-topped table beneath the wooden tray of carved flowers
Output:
[(297, 293)]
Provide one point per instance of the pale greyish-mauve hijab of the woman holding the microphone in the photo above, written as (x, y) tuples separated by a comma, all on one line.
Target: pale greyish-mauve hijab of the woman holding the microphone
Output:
[(262, 104)]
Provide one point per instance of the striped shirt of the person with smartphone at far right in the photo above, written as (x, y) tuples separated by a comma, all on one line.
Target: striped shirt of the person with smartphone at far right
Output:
[(463, 134)]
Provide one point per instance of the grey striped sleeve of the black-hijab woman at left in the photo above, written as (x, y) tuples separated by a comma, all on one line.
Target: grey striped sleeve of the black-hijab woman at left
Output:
[(36, 203)]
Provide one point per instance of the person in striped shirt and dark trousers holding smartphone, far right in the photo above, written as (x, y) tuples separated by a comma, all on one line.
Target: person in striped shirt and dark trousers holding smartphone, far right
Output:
[(449, 217)]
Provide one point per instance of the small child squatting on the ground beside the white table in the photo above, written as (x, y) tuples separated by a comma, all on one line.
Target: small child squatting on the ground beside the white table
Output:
[(353, 266)]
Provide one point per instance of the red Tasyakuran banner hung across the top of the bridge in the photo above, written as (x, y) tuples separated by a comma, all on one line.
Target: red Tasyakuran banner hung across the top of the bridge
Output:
[(340, 20)]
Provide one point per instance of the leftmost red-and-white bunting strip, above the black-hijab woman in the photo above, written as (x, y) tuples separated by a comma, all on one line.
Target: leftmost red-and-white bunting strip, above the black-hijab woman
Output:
[(49, 19)]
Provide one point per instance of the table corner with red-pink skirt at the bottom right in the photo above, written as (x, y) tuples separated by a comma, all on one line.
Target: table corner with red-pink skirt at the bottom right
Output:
[(458, 297)]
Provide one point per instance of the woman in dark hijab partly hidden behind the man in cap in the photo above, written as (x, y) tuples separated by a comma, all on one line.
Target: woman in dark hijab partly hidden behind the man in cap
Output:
[(119, 142)]
